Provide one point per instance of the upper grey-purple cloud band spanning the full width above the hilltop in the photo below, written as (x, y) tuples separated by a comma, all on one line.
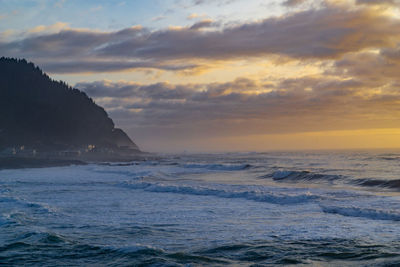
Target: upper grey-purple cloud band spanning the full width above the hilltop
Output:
[(328, 32)]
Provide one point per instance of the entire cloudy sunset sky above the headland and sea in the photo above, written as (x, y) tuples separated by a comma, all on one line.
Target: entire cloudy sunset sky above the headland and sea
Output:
[(223, 75)]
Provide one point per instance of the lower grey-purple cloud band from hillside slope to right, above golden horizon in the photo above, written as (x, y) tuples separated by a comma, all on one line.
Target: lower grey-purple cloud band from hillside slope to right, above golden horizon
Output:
[(244, 106)]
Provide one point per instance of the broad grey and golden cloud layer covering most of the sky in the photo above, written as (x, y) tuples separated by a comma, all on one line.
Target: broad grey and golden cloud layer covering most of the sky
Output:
[(331, 65)]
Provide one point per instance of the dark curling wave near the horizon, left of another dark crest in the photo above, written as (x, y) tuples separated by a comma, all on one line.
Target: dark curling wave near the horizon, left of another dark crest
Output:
[(301, 176)]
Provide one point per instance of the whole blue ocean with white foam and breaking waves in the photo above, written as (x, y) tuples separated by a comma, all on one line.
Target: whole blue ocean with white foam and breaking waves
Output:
[(336, 208)]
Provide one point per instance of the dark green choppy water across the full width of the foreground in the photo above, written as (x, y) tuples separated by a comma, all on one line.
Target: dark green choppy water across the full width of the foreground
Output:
[(261, 252)]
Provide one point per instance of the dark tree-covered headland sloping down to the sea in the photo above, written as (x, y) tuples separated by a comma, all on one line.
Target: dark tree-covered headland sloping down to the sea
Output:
[(38, 111)]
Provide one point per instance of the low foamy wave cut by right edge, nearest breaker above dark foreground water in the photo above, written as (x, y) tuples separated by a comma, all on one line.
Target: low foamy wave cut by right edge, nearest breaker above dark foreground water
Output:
[(369, 213)]
